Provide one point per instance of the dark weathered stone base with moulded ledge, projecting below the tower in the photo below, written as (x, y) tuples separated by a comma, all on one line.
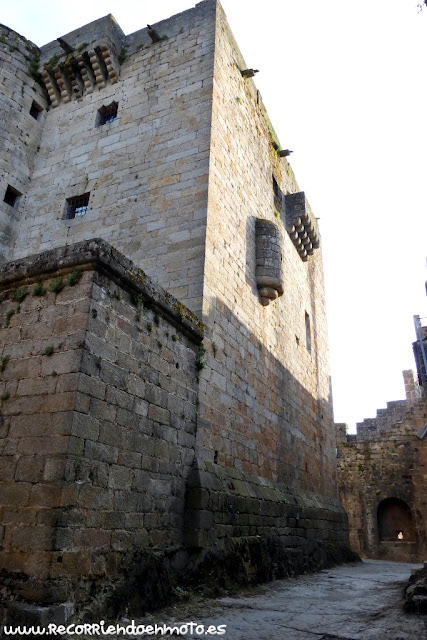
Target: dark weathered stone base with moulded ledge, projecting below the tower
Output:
[(101, 479)]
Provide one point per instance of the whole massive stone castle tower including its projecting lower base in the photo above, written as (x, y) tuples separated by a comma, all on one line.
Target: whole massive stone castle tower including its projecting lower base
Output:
[(156, 423)]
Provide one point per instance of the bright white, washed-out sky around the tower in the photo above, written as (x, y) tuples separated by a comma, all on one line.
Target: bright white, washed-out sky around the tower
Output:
[(344, 85)]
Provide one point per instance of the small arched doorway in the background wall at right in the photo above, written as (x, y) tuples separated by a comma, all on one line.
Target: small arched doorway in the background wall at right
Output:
[(395, 521)]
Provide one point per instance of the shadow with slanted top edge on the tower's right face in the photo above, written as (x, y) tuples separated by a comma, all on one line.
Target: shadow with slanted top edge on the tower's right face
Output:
[(255, 415)]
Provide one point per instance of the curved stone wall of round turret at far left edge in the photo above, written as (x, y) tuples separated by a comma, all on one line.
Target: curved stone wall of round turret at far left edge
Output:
[(20, 132)]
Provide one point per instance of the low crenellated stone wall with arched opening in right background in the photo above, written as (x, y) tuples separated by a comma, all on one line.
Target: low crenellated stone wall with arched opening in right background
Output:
[(386, 460)]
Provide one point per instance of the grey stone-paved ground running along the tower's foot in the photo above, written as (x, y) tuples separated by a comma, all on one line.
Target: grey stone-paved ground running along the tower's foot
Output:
[(353, 602)]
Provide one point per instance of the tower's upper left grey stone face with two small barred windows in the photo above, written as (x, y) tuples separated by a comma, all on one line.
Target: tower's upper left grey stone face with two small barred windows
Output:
[(146, 171)]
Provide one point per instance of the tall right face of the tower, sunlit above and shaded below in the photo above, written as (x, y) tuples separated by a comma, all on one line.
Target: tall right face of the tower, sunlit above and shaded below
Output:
[(266, 396)]
